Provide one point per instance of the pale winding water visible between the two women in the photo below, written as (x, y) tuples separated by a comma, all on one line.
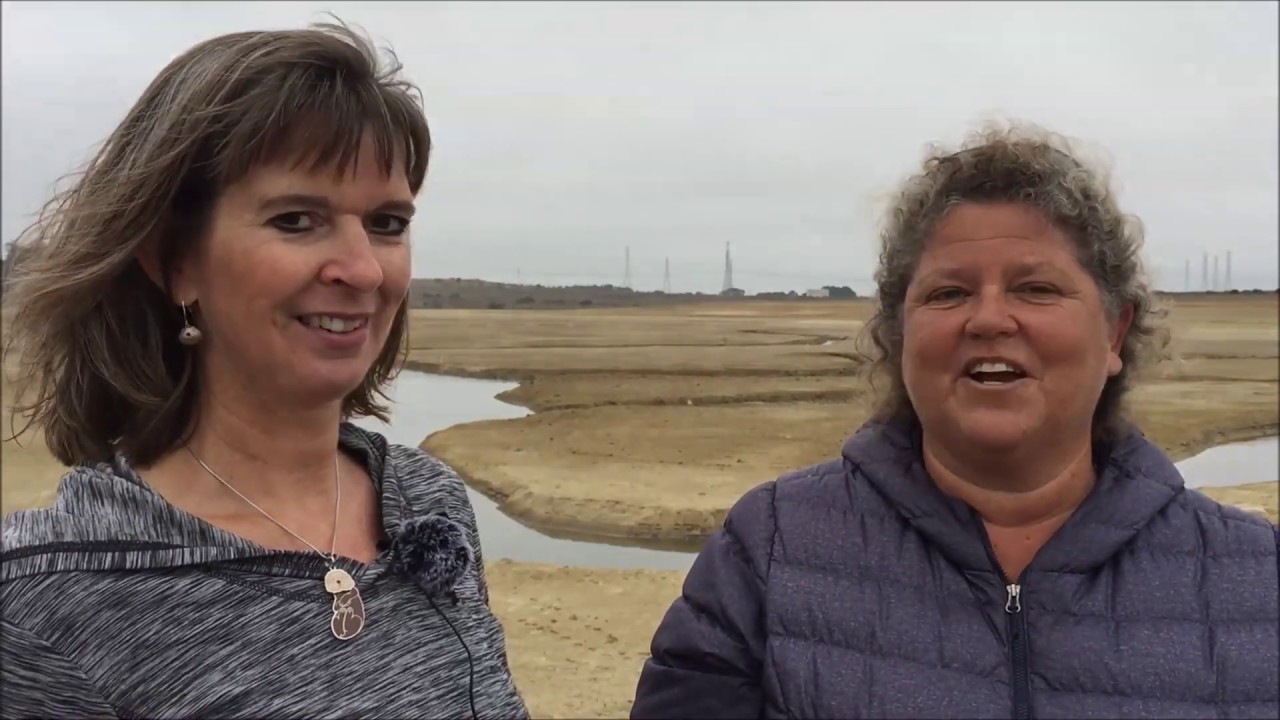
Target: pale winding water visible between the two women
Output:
[(426, 404)]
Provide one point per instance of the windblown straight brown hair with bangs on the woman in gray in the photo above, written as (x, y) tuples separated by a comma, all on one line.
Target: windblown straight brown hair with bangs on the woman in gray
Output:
[(94, 340)]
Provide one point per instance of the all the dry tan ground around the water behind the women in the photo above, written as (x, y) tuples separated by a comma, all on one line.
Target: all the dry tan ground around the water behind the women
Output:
[(657, 420)]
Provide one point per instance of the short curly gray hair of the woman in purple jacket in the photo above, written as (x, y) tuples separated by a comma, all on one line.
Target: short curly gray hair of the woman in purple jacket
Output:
[(1034, 167)]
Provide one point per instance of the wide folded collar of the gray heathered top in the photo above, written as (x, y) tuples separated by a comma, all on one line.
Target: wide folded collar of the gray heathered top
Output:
[(107, 518)]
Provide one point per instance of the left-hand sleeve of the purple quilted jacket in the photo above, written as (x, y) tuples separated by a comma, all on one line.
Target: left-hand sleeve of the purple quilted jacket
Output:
[(706, 658)]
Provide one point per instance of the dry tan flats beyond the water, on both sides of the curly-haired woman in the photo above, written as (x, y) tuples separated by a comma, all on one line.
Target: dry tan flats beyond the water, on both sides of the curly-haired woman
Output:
[(657, 441)]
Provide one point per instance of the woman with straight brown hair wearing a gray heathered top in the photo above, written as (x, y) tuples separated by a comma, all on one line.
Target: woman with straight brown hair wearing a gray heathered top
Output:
[(196, 320)]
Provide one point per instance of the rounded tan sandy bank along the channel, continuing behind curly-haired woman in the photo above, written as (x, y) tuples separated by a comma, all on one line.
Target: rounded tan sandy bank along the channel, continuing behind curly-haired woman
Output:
[(671, 472)]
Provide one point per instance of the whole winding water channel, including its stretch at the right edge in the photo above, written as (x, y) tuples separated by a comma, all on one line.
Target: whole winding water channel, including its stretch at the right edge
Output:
[(427, 404)]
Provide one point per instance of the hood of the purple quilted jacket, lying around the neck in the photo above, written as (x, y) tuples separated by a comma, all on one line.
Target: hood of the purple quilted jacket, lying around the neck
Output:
[(1136, 481)]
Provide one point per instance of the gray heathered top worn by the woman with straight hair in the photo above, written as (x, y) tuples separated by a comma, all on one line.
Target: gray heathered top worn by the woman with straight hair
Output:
[(118, 605)]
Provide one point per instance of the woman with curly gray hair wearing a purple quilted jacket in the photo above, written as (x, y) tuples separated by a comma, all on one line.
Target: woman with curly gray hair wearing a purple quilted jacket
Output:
[(999, 540)]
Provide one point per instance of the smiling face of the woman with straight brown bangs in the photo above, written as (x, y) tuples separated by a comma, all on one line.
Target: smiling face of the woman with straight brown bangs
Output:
[(300, 277)]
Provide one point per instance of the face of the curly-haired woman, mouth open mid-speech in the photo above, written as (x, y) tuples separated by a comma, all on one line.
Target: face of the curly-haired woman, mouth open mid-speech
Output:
[(1005, 335)]
